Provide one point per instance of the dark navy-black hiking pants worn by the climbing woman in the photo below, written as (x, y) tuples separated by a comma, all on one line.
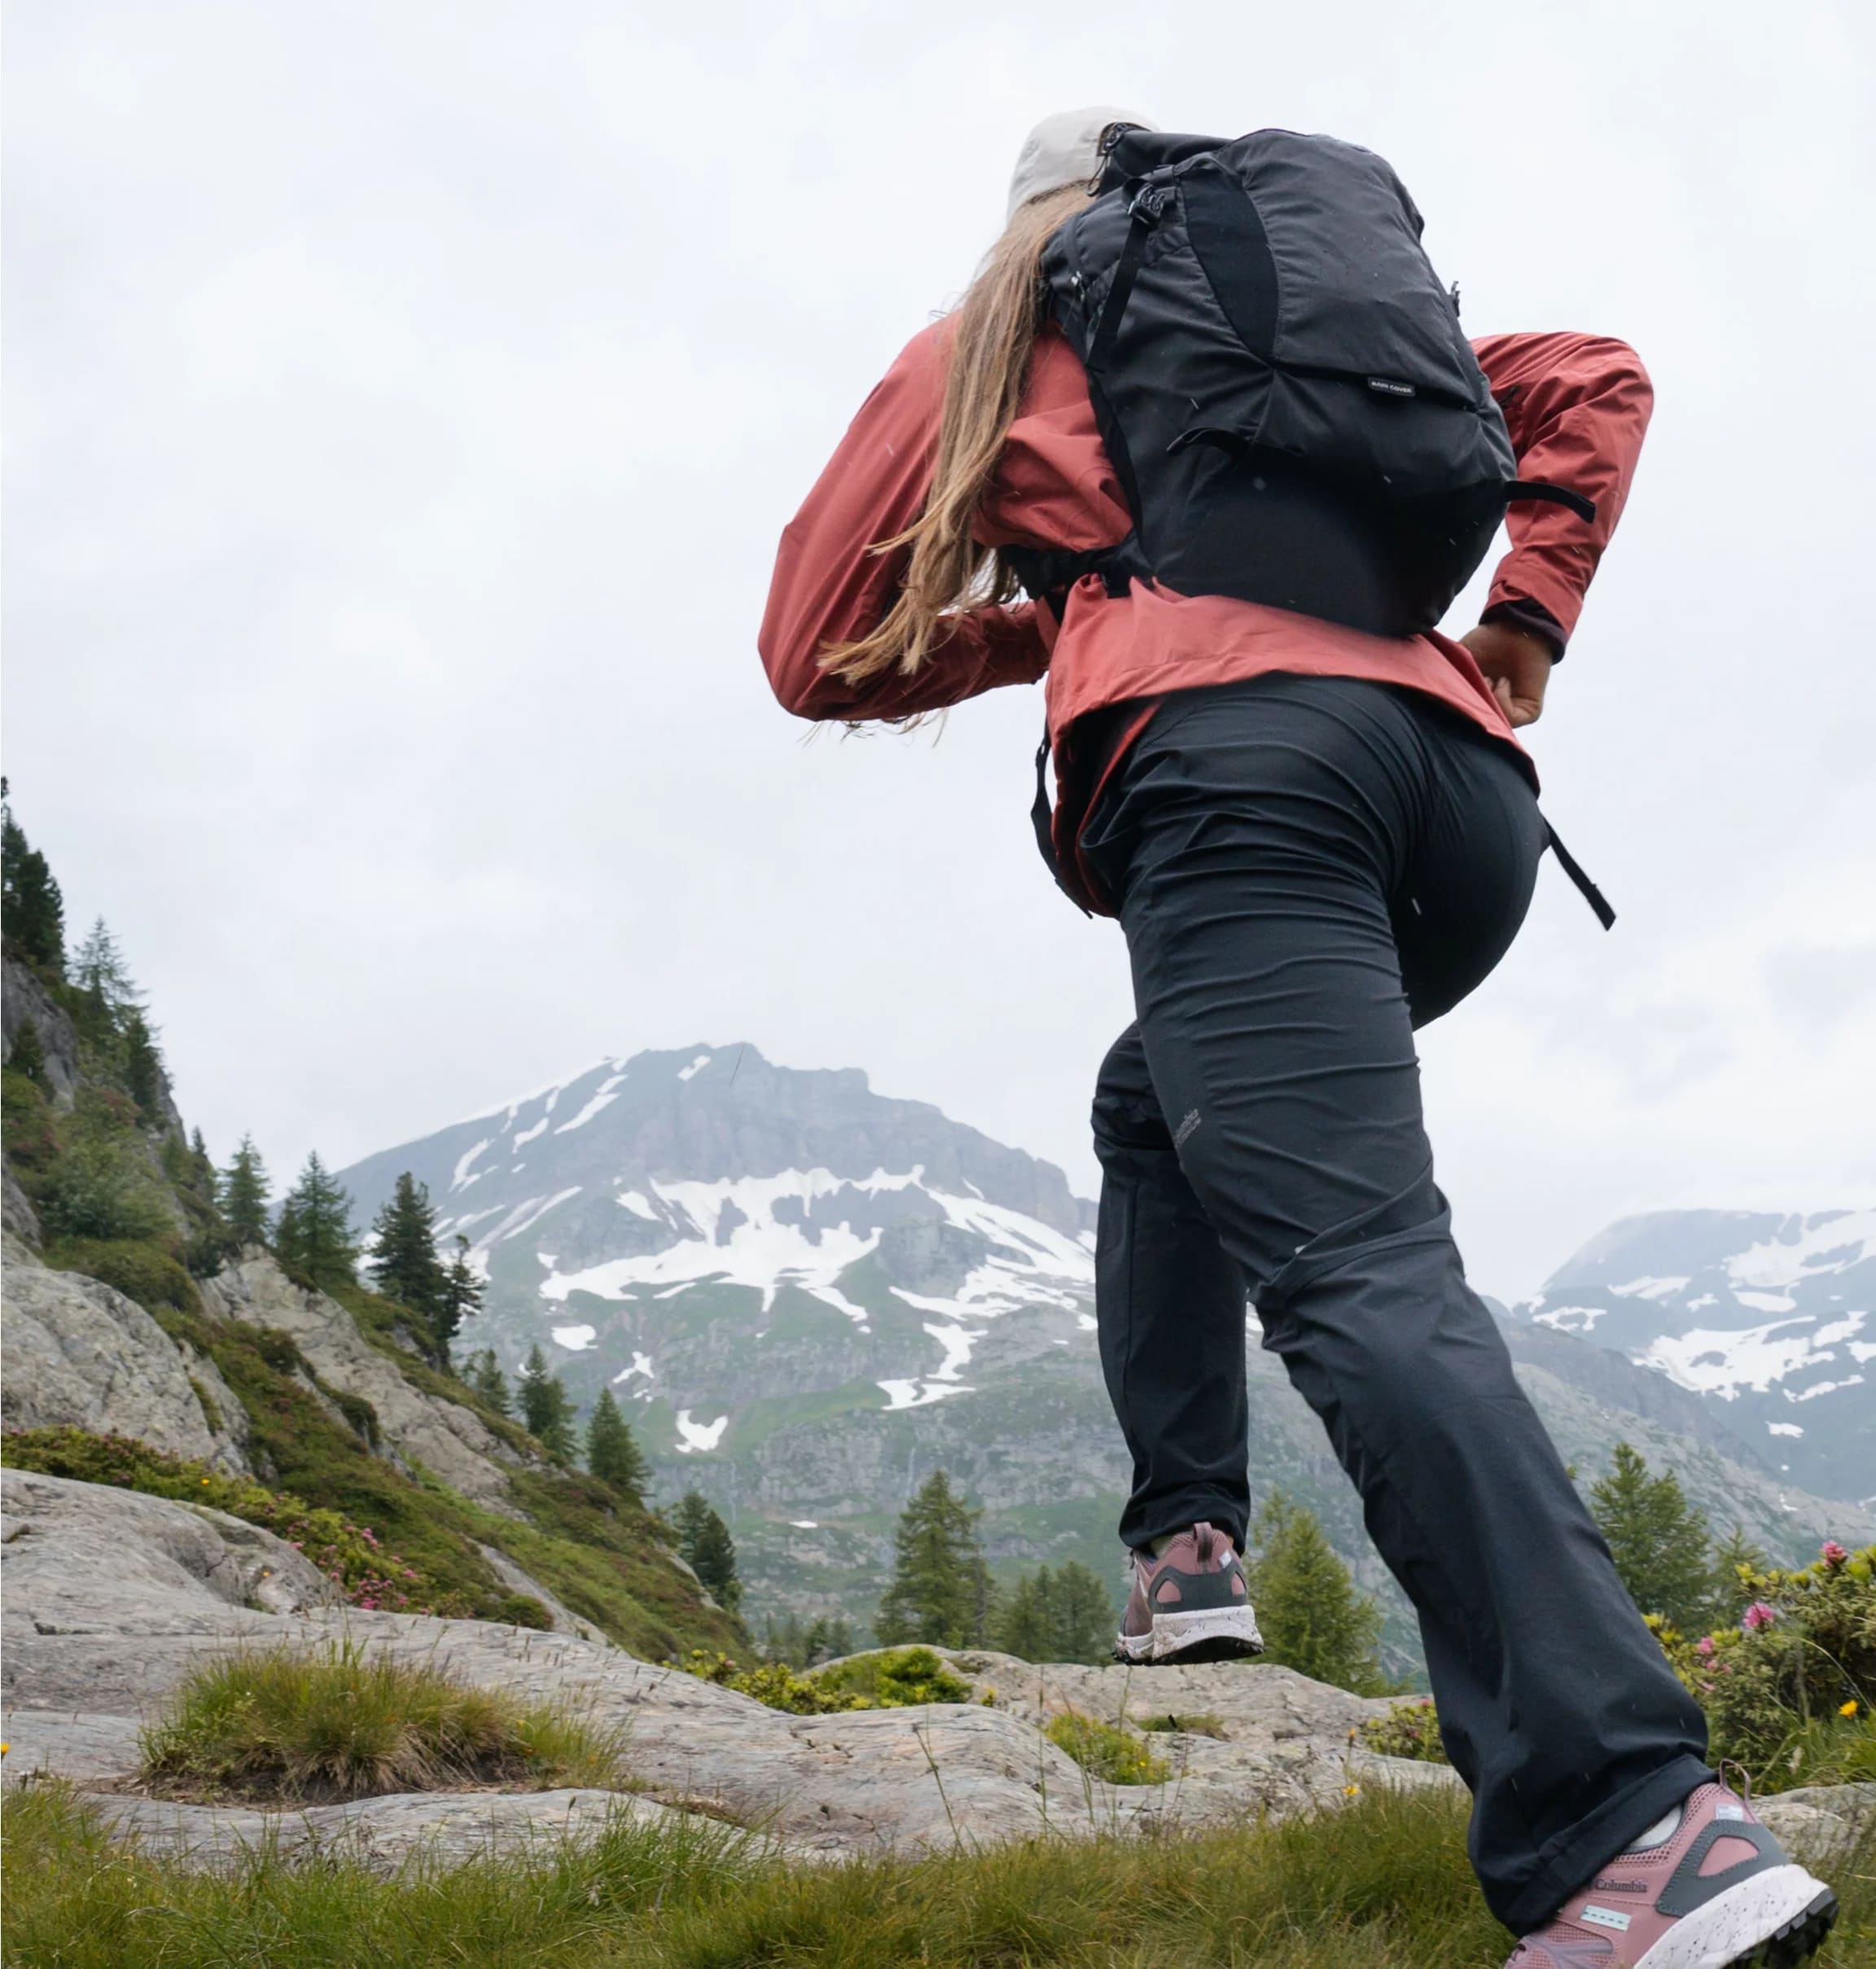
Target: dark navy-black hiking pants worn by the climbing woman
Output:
[(1306, 871)]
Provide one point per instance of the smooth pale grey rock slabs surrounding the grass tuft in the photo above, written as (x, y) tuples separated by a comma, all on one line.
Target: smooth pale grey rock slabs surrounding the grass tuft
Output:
[(111, 1598)]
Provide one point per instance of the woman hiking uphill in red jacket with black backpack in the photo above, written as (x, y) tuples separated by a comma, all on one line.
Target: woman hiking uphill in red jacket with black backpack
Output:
[(1210, 413)]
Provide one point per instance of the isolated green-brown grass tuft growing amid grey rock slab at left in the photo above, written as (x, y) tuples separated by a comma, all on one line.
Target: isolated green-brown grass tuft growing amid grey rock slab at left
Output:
[(351, 1724)]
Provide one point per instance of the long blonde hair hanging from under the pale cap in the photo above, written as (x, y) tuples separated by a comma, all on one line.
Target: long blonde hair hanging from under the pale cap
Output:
[(989, 363)]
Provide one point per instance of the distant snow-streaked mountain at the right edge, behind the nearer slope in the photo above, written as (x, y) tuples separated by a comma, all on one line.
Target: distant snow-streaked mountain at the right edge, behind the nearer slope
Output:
[(1773, 1318)]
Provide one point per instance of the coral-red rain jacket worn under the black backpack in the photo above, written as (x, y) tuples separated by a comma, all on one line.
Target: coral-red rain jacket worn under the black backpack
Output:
[(1576, 409)]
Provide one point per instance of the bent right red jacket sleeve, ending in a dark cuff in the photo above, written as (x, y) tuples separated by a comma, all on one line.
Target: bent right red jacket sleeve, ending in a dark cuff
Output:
[(1578, 411)]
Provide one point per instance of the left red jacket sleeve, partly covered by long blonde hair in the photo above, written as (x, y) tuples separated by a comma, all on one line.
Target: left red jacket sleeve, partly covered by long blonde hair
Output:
[(830, 588)]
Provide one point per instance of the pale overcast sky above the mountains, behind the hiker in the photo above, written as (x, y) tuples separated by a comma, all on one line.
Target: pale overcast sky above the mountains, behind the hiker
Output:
[(405, 403)]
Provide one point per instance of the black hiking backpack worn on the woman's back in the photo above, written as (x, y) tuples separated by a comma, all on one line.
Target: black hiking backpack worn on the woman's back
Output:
[(1281, 381)]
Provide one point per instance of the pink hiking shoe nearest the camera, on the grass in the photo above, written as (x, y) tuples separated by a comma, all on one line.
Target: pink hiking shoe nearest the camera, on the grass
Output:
[(1714, 1891)]
